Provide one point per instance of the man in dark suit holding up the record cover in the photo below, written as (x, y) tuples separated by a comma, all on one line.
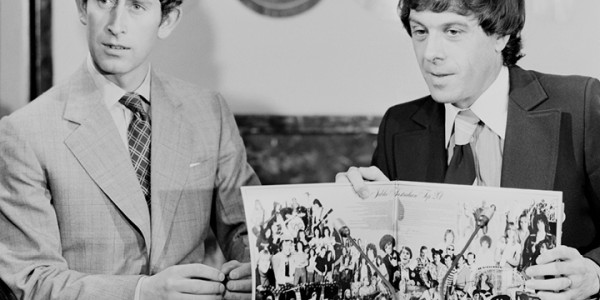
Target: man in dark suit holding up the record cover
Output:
[(489, 122)]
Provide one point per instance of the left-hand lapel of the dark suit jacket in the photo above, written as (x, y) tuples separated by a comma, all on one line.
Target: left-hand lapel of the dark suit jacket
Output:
[(422, 145)]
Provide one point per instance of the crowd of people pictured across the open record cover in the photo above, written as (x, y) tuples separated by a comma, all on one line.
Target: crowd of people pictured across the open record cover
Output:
[(302, 256)]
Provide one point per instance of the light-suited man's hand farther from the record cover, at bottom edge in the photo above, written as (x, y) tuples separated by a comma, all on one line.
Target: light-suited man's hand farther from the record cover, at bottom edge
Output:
[(184, 282)]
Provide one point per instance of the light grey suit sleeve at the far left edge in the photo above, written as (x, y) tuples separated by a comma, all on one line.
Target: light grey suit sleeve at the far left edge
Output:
[(31, 260)]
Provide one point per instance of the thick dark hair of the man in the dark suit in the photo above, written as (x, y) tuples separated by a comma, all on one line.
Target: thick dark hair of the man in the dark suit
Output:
[(501, 17)]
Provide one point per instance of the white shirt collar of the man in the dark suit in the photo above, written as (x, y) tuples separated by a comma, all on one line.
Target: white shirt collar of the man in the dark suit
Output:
[(491, 107)]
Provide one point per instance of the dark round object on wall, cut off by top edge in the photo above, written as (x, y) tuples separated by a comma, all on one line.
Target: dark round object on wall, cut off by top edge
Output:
[(280, 8)]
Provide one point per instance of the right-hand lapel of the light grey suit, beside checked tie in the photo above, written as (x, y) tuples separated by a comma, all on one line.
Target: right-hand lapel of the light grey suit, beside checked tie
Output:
[(171, 158)]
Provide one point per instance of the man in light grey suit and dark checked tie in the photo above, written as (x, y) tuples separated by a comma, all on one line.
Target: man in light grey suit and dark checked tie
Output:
[(113, 181)]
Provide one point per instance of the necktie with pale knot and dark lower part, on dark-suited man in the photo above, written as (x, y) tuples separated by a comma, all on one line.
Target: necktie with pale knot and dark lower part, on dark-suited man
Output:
[(461, 169)]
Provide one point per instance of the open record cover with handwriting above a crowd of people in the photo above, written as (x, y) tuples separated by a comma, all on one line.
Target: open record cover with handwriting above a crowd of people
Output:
[(408, 240)]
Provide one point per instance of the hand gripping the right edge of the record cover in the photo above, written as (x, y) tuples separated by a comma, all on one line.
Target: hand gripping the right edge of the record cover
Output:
[(573, 276)]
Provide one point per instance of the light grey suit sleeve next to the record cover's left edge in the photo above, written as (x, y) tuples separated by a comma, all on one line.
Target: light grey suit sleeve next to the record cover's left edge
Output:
[(233, 172)]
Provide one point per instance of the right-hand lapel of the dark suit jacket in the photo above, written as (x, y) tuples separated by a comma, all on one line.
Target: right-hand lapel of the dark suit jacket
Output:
[(532, 135)]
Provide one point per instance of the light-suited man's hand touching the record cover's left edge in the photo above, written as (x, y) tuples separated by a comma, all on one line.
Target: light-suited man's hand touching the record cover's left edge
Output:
[(239, 280)]
